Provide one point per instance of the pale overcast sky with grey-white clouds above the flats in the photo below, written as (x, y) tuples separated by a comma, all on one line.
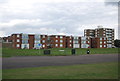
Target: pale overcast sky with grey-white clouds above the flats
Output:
[(61, 17)]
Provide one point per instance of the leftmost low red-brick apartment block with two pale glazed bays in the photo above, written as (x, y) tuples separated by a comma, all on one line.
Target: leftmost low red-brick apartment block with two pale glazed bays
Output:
[(29, 41)]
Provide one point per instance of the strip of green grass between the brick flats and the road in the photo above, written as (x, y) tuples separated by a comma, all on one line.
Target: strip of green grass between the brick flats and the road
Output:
[(8, 52)]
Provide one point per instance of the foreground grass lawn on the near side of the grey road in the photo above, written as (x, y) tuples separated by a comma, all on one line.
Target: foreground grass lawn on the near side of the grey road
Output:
[(84, 71)]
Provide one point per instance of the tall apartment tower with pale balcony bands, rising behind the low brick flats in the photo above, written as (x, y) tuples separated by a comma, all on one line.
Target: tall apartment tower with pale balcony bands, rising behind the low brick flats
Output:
[(101, 32)]
